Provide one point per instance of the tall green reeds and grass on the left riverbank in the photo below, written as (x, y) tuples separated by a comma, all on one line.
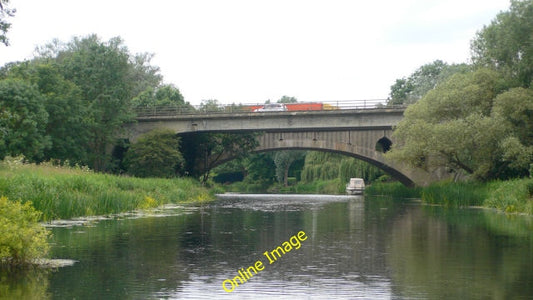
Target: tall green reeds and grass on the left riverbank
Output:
[(64, 193)]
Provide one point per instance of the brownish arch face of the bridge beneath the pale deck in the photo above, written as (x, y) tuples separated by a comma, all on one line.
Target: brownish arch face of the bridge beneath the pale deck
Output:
[(367, 145)]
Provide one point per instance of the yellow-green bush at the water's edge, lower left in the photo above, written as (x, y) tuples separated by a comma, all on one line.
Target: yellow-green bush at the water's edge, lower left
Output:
[(22, 238)]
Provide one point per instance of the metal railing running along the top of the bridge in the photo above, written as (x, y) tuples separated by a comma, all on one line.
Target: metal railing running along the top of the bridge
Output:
[(162, 111)]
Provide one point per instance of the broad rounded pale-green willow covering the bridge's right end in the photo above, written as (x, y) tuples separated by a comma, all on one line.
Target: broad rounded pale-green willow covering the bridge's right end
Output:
[(462, 125)]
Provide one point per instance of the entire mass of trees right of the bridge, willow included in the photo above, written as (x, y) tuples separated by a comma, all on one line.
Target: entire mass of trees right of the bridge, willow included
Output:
[(476, 122)]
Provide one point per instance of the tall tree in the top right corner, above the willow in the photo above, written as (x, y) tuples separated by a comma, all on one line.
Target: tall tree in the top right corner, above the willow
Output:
[(505, 44)]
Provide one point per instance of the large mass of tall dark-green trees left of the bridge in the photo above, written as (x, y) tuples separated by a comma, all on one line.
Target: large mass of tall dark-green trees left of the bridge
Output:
[(77, 96)]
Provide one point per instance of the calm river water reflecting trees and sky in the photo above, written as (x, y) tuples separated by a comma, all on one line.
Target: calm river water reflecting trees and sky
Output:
[(341, 248)]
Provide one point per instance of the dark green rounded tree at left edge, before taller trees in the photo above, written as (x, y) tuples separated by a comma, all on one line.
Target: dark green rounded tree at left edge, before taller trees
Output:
[(23, 120)]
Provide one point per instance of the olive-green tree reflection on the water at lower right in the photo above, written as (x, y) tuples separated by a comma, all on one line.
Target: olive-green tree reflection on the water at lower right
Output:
[(461, 254)]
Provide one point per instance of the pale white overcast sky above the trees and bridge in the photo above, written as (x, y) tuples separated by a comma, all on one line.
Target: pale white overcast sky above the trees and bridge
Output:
[(248, 51)]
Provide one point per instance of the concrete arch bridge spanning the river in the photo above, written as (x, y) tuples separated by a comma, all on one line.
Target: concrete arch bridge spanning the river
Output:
[(361, 133)]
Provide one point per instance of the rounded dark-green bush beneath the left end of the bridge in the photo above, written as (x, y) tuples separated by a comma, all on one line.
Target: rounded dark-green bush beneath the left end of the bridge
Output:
[(155, 154)]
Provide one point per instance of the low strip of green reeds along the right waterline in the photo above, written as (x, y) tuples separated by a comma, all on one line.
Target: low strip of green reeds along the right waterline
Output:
[(511, 196)]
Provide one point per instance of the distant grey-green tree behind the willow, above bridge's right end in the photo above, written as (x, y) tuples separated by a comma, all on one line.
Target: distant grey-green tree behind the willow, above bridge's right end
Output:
[(427, 77)]
